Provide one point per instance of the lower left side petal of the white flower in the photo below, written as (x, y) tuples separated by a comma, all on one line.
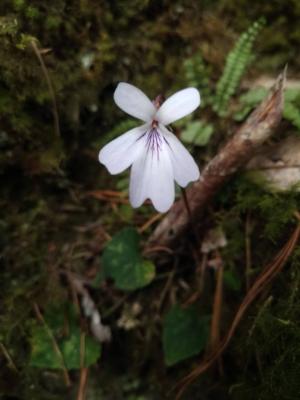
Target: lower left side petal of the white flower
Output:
[(120, 153)]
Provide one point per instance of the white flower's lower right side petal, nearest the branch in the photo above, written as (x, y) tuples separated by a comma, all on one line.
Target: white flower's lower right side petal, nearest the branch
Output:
[(185, 169)]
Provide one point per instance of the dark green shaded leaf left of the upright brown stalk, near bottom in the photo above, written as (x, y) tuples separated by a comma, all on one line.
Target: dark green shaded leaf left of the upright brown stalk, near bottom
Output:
[(185, 333)]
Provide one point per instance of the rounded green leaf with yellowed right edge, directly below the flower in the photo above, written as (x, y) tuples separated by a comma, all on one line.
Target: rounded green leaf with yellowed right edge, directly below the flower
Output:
[(122, 261)]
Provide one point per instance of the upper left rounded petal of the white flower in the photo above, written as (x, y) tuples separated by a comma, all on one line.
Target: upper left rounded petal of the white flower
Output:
[(134, 102)]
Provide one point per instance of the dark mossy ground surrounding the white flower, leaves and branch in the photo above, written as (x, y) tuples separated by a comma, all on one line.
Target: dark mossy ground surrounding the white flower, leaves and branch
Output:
[(50, 222)]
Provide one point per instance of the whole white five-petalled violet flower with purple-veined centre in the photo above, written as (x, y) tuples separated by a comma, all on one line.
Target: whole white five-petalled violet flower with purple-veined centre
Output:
[(156, 155)]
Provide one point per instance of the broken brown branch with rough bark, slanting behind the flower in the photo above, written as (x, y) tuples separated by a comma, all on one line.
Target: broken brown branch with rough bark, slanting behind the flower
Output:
[(236, 153)]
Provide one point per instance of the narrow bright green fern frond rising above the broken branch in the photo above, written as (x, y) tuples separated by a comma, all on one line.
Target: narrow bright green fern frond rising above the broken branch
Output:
[(236, 63)]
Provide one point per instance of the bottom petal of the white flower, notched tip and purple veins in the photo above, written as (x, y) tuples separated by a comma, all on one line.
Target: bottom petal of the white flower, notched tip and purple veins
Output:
[(152, 177)]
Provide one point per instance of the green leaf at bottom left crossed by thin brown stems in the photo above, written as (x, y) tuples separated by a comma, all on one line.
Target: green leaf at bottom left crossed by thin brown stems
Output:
[(43, 352)]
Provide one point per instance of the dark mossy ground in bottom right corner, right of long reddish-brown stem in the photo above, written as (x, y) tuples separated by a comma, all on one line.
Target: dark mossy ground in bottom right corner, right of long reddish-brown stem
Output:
[(273, 347)]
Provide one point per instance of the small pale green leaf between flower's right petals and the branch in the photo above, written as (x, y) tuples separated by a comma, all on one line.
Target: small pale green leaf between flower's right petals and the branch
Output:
[(198, 133)]
